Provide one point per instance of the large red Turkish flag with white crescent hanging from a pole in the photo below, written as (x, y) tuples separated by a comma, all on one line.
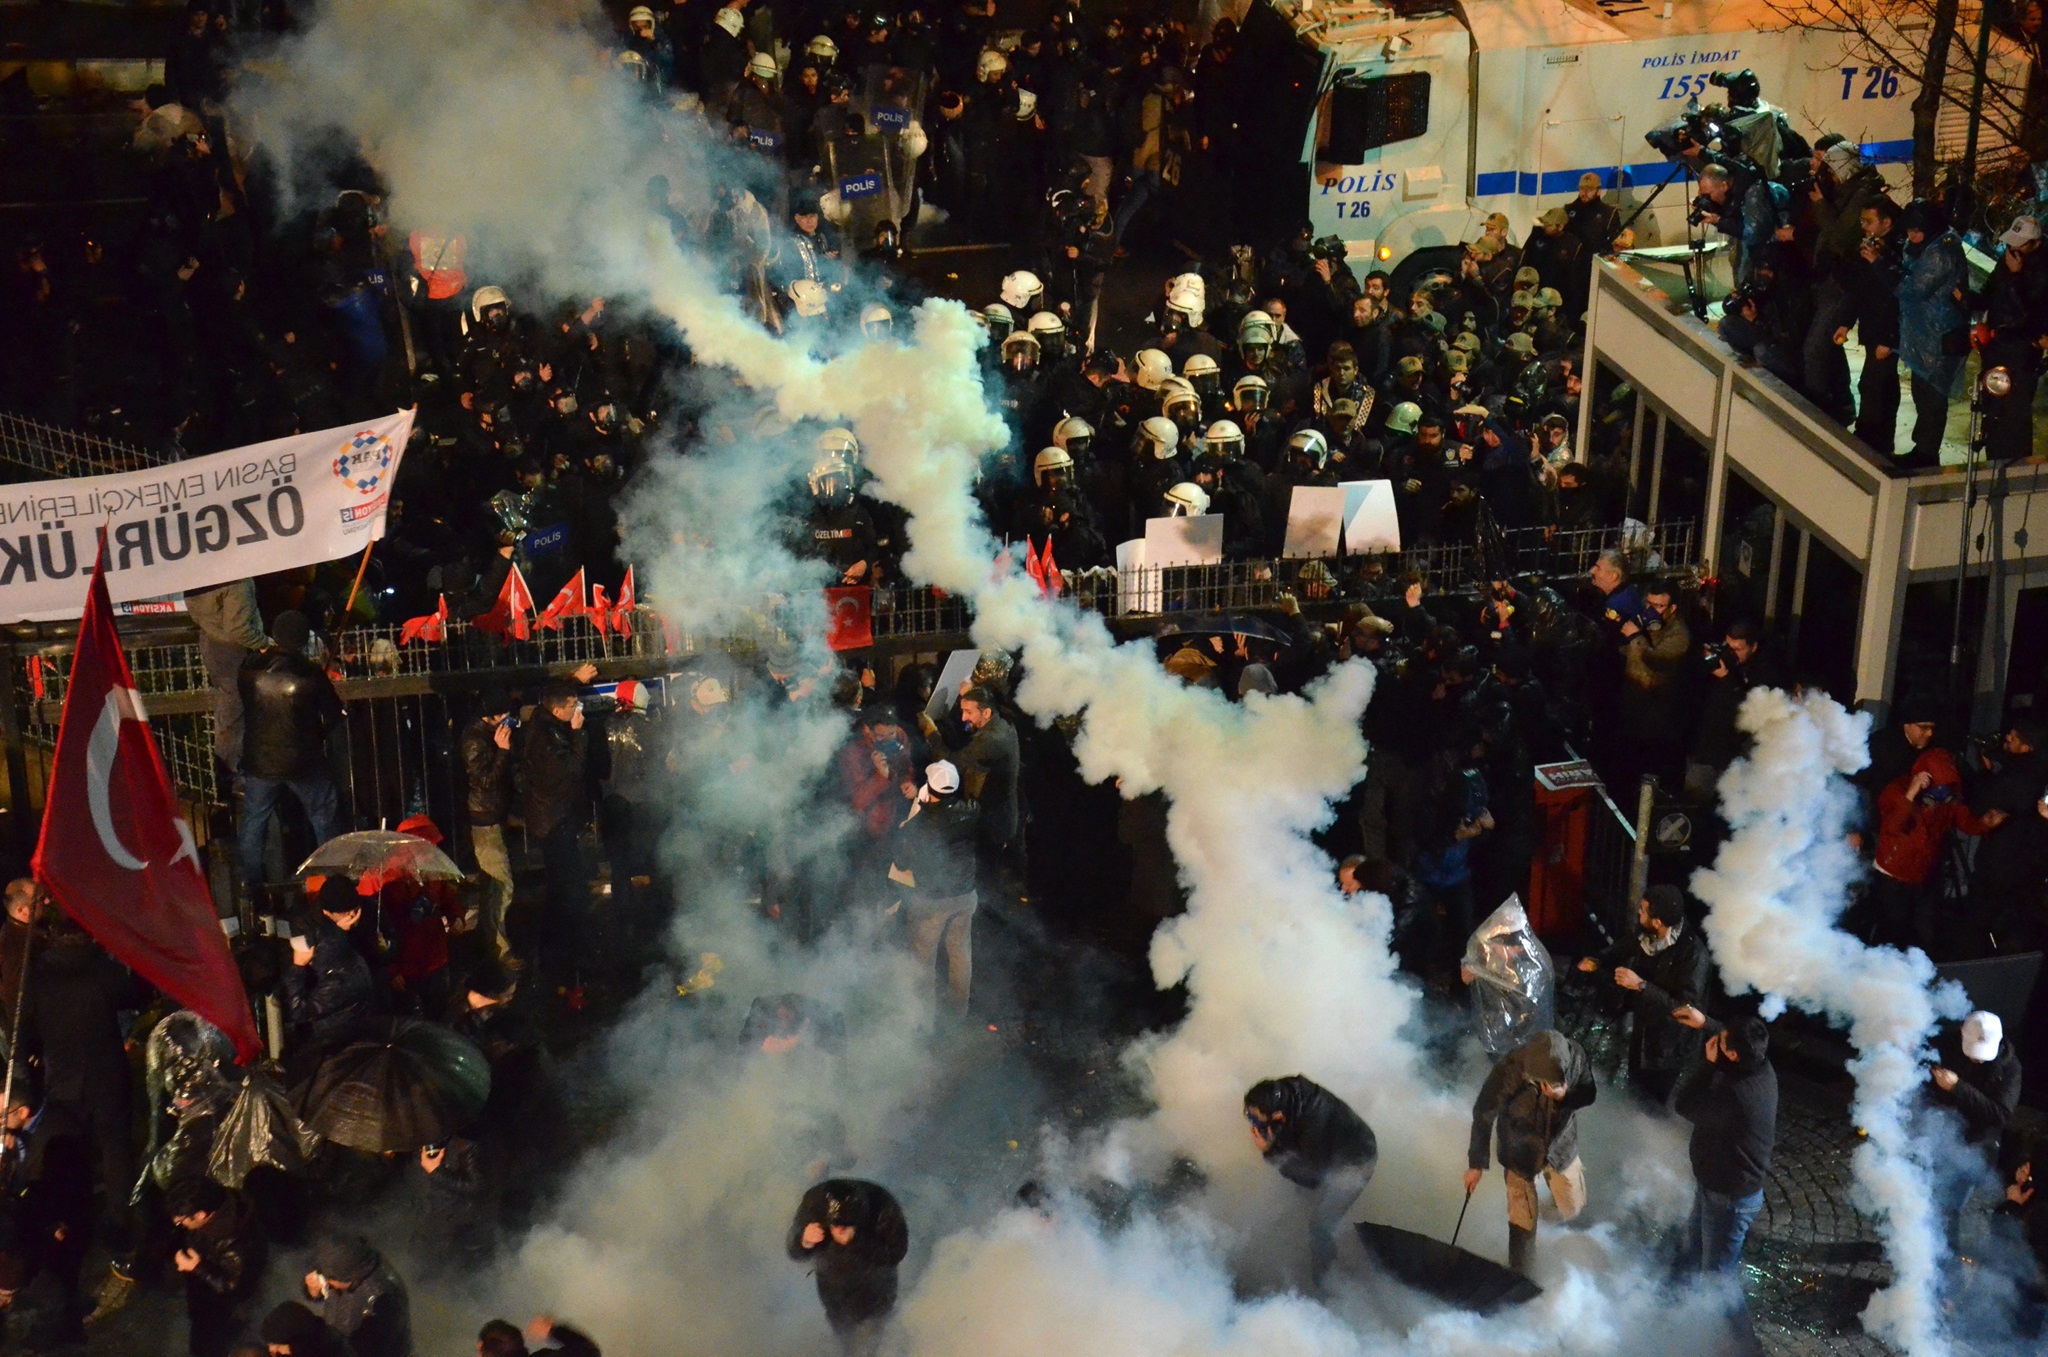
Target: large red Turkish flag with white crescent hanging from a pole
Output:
[(118, 857)]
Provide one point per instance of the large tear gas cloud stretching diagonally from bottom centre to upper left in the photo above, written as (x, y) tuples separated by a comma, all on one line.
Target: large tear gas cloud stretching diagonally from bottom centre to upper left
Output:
[(501, 122)]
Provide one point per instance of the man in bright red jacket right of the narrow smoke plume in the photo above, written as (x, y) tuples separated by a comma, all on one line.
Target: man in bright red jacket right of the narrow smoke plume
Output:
[(1916, 814)]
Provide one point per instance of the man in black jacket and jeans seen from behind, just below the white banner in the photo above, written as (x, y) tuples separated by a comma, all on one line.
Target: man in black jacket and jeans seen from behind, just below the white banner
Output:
[(288, 709)]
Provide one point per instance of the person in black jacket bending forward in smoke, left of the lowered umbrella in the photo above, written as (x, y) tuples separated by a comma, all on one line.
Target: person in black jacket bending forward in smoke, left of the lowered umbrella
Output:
[(1316, 1141)]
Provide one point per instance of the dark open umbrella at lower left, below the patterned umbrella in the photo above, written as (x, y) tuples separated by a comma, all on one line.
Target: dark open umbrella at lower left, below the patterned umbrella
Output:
[(413, 1086)]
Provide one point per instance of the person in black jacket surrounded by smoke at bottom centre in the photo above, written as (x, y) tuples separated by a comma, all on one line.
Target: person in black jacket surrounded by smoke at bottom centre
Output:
[(855, 1237)]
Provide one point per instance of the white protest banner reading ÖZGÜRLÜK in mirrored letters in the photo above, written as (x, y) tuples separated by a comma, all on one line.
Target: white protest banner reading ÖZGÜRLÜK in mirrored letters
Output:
[(206, 521)]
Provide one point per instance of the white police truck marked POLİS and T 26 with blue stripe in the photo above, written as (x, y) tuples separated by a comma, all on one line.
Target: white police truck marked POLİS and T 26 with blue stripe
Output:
[(1428, 116)]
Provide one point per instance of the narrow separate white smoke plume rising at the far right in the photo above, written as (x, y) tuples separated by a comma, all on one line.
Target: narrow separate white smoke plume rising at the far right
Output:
[(1775, 898)]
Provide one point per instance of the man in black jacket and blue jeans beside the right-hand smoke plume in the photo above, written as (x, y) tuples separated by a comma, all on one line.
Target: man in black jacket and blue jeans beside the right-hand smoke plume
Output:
[(1732, 1100)]
